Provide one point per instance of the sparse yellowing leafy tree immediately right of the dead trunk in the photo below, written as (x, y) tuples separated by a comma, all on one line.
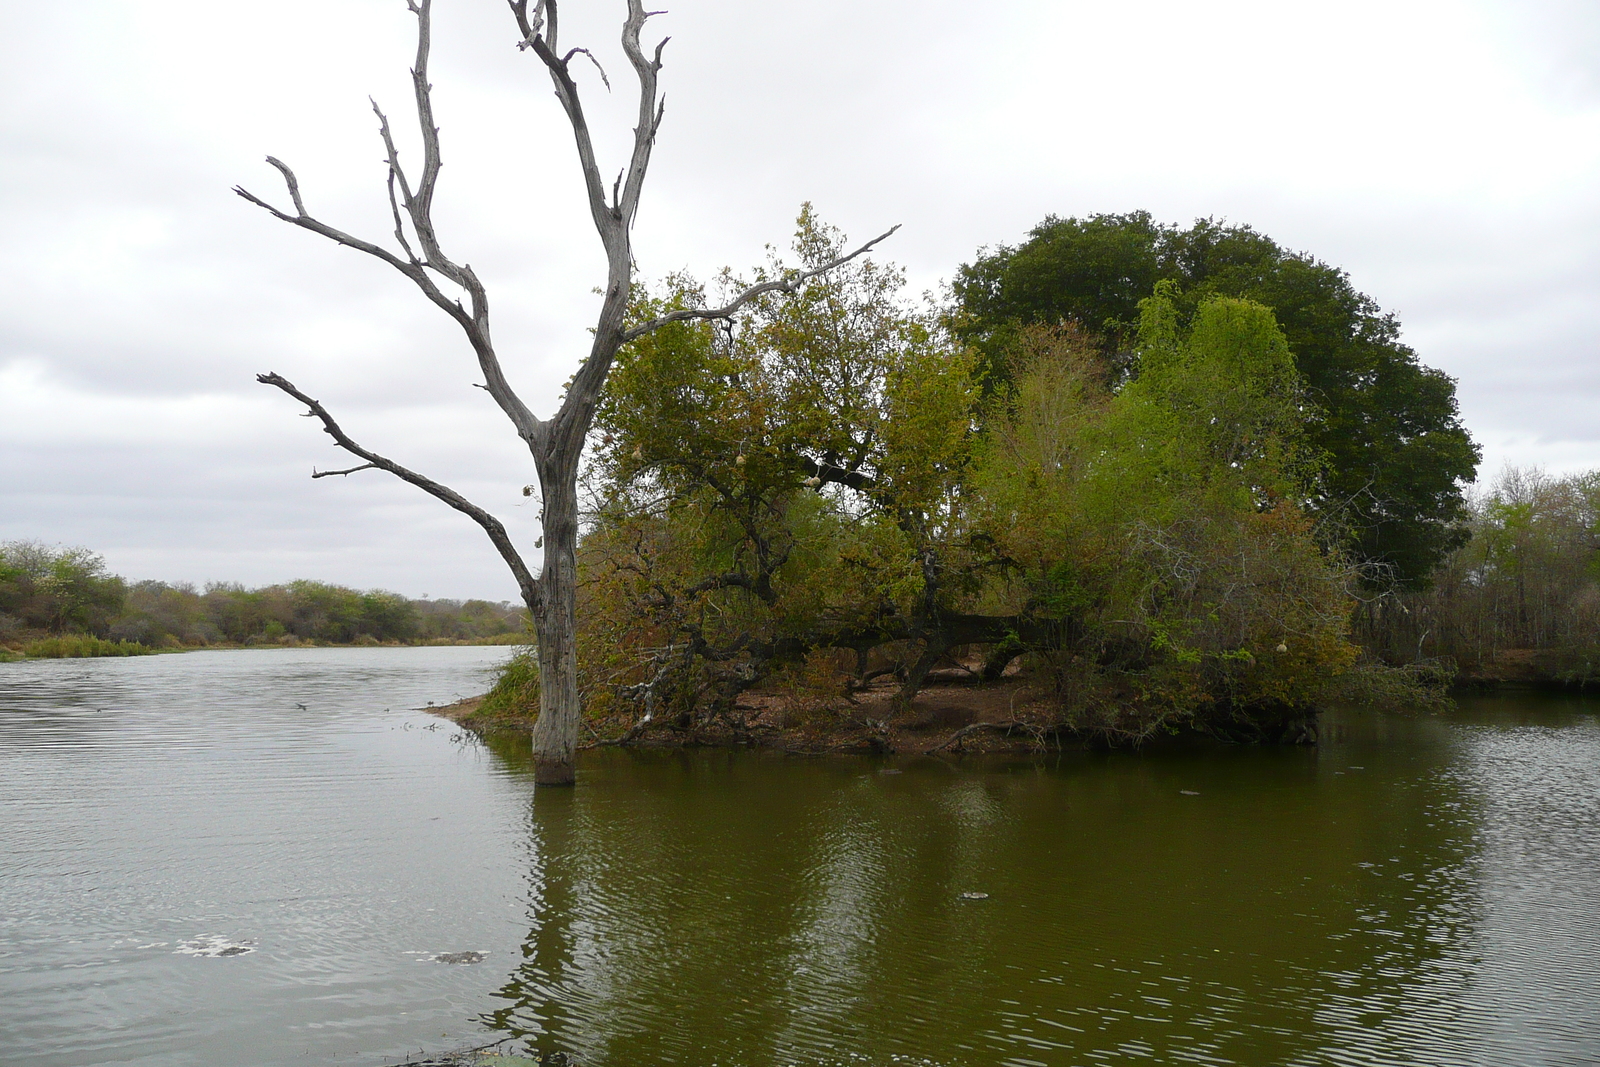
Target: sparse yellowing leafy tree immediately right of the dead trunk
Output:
[(770, 482)]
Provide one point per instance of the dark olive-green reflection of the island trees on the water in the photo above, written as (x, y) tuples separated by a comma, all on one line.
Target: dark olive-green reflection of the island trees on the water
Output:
[(738, 908)]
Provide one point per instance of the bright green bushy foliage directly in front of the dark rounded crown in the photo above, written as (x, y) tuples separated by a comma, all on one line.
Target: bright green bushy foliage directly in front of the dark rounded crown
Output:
[(1161, 524)]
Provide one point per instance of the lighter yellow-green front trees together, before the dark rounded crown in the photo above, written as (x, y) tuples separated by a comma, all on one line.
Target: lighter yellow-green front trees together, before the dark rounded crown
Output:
[(830, 476)]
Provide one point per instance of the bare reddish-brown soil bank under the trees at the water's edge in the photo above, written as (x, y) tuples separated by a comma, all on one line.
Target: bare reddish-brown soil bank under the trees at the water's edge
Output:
[(953, 713)]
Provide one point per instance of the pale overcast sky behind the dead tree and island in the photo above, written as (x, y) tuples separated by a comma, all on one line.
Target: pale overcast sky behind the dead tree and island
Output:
[(1446, 154)]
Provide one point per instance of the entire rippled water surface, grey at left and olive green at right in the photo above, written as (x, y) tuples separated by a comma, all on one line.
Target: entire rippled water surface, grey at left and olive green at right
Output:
[(255, 858)]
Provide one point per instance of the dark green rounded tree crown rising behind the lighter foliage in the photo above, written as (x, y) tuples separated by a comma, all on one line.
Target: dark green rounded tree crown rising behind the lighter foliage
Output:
[(1396, 450)]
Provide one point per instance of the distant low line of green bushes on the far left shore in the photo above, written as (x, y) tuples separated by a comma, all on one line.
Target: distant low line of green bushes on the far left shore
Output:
[(50, 593)]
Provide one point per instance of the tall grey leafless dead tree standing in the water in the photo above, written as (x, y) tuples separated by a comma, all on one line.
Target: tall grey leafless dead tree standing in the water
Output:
[(558, 442)]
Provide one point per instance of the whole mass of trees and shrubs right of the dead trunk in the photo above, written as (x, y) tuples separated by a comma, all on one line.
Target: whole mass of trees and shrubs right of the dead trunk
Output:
[(1180, 478)]
